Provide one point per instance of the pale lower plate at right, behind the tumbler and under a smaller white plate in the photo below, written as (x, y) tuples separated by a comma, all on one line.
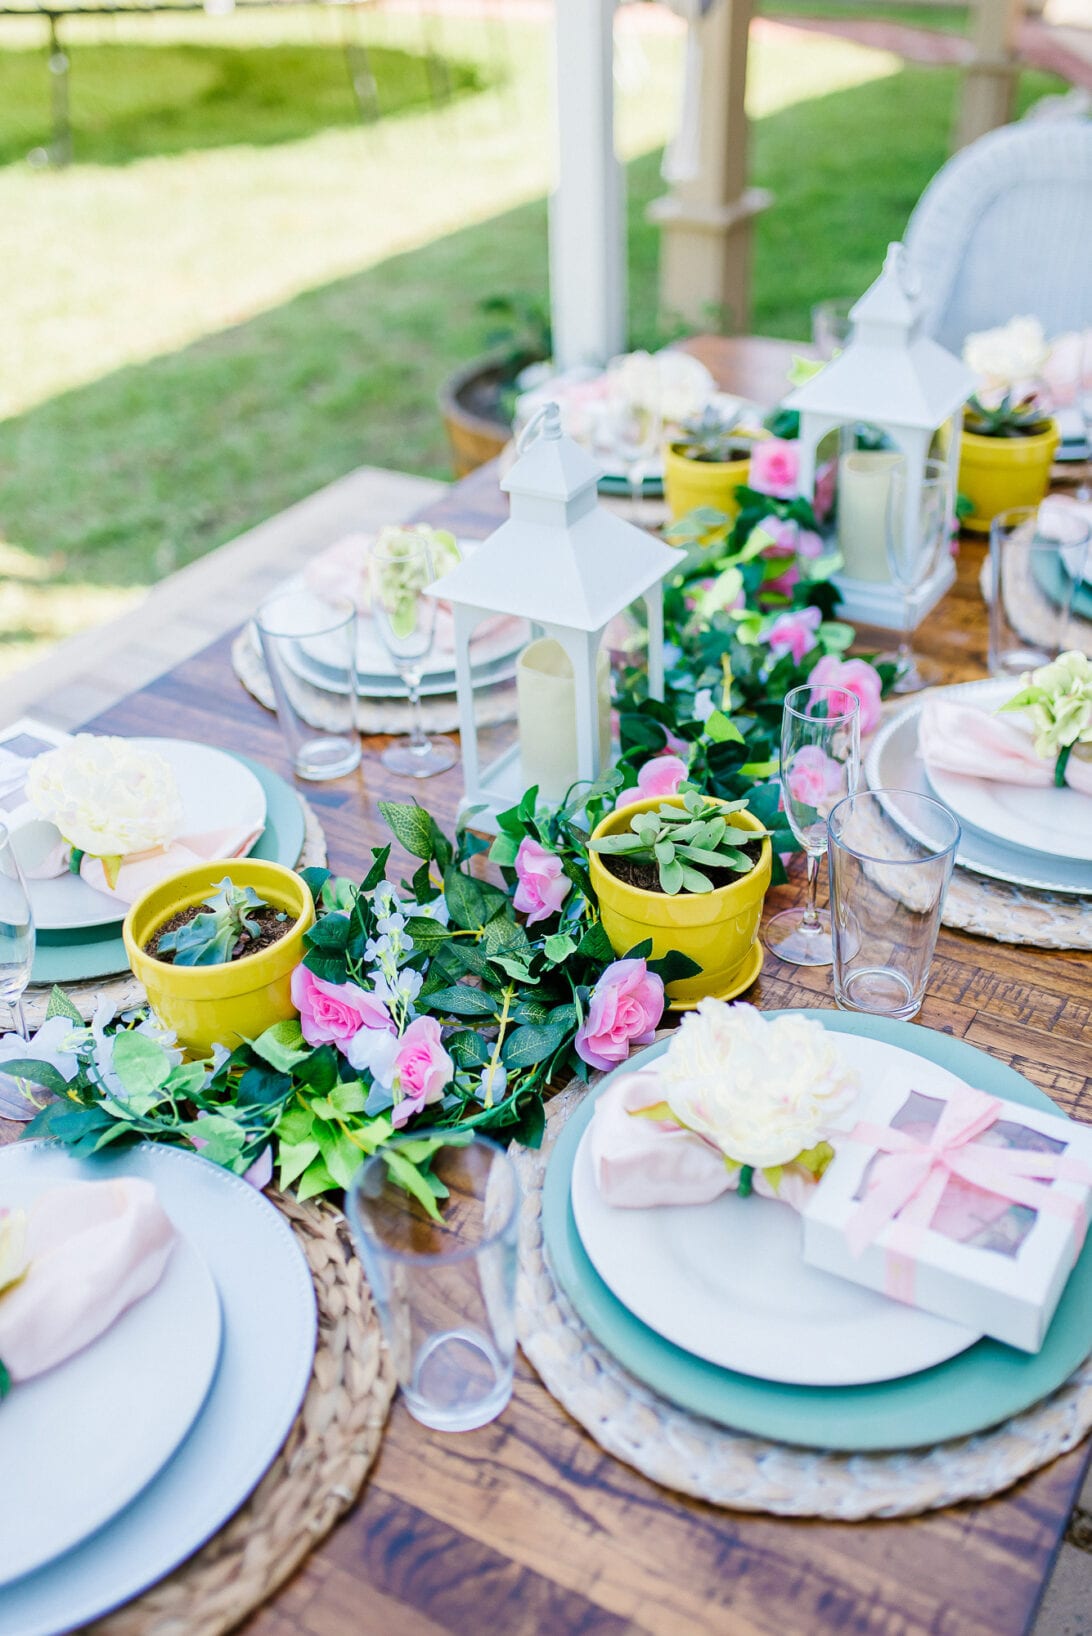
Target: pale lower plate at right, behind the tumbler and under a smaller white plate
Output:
[(895, 765)]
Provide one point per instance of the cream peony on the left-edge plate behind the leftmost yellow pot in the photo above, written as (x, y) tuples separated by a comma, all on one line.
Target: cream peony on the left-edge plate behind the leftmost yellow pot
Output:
[(106, 796)]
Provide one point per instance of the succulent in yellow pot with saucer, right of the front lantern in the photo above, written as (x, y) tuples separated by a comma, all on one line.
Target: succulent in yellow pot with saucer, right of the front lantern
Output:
[(692, 874)]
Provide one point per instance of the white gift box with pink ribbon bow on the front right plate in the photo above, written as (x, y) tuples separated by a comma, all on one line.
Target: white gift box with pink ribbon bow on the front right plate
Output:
[(995, 1218)]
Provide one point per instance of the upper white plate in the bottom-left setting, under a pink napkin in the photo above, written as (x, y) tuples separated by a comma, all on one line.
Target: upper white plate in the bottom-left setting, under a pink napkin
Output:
[(79, 1442)]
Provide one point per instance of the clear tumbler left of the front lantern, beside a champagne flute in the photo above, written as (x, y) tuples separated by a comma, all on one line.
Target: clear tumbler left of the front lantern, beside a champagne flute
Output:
[(310, 649)]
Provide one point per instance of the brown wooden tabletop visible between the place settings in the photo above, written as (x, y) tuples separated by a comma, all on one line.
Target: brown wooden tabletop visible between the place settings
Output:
[(526, 1527)]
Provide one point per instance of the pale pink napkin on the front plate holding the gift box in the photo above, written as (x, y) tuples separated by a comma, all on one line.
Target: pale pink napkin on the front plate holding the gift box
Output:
[(641, 1162)]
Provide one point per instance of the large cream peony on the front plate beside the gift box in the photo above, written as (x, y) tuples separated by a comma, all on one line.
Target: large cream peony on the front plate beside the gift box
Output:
[(764, 1090)]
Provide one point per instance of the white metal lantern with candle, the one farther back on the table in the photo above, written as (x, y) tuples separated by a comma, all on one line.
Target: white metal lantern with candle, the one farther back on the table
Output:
[(893, 379)]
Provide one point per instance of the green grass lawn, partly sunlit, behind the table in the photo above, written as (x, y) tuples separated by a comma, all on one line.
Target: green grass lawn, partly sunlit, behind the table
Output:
[(237, 295)]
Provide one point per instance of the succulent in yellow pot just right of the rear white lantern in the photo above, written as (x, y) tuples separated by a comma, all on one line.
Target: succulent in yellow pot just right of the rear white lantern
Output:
[(1006, 456)]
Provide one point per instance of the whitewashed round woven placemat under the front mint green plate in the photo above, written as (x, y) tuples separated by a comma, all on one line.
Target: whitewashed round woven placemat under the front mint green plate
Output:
[(728, 1468)]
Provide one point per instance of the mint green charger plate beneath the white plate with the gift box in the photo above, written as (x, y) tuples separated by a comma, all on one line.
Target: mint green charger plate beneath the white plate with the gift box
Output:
[(978, 1390)]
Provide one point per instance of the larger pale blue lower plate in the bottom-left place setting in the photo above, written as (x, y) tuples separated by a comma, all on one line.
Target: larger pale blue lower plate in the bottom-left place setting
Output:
[(266, 1364)]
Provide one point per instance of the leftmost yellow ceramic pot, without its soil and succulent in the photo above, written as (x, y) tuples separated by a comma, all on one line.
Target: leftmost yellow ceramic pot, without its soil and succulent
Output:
[(209, 1005)]
